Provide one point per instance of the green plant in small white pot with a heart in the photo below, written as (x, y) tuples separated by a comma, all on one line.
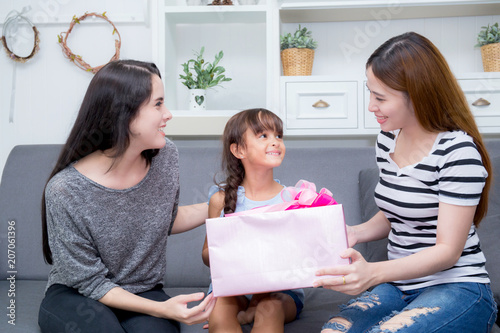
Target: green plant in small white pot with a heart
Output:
[(199, 75)]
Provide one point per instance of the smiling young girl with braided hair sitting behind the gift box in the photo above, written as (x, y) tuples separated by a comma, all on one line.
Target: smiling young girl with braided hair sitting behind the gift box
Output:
[(252, 147)]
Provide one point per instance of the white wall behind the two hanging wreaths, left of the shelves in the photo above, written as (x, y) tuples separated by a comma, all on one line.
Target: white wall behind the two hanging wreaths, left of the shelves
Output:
[(49, 88)]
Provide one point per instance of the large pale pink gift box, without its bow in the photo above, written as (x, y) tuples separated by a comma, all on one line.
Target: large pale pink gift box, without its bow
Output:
[(264, 252)]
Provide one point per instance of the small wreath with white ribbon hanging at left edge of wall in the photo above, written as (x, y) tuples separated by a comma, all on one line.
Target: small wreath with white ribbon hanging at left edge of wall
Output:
[(9, 31)]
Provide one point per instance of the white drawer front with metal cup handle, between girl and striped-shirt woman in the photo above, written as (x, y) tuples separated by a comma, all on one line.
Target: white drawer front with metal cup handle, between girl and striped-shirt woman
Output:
[(339, 112)]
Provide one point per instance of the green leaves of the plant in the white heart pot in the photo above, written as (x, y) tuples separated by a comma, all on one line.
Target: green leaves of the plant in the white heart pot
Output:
[(200, 74)]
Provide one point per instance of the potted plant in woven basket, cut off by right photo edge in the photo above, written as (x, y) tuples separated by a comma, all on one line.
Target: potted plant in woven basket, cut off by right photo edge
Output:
[(489, 41)]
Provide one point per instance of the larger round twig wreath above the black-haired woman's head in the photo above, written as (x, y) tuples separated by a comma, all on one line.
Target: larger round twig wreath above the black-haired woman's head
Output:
[(76, 59)]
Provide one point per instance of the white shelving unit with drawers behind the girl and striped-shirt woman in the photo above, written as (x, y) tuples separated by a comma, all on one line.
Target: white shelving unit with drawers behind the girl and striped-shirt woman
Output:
[(347, 33)]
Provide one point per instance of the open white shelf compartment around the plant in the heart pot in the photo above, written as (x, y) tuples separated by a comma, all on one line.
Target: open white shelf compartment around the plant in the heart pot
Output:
[(242, 32)]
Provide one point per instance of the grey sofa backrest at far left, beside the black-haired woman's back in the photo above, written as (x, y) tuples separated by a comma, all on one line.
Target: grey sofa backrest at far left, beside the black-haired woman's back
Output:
[(23, 180)]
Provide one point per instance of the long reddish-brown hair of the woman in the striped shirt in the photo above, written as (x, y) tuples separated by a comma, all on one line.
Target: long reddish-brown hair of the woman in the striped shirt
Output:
[(410, 63)]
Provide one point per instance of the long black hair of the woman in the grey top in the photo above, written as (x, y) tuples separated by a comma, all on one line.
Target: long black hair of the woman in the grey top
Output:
[(112, 101)]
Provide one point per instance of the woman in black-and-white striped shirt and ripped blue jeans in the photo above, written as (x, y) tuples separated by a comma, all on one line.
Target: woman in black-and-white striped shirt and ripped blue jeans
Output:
[(432, 194)]
